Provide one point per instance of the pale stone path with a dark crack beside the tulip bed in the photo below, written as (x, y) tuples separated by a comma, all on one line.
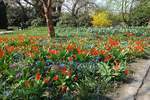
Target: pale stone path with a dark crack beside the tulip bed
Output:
[(138, 87)]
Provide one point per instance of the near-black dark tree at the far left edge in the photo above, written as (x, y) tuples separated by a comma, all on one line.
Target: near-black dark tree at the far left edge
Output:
[(3, 15)]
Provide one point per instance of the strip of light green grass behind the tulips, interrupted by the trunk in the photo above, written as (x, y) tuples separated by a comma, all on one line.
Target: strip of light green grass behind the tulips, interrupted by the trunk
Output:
[(81, 31)]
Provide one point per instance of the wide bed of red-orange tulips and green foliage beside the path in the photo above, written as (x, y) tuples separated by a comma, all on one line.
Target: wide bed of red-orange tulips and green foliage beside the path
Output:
[(33, 67)]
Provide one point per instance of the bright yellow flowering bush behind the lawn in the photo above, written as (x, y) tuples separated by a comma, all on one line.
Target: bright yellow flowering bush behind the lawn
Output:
[(101, 19)]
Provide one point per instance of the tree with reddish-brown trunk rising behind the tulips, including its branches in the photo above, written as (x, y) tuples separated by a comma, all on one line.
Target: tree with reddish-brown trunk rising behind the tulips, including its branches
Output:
[(48, 9)]
